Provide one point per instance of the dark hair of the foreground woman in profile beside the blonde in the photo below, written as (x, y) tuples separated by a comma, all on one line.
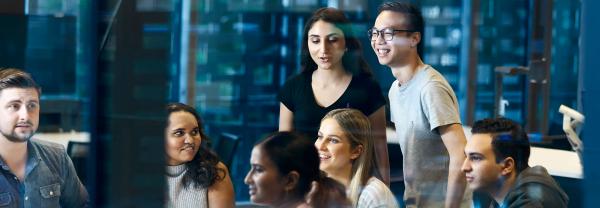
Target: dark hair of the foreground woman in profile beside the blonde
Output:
[(291, 152)]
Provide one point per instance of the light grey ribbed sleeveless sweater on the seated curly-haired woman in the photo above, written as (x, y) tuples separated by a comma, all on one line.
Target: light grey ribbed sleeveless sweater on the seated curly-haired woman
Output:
[(178, 195)]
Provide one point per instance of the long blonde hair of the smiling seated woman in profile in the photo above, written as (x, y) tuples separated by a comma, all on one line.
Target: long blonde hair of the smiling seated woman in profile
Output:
[(357, 129)]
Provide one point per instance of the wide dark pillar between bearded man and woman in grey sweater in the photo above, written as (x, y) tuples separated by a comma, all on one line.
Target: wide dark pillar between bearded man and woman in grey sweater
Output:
[(131, 92)]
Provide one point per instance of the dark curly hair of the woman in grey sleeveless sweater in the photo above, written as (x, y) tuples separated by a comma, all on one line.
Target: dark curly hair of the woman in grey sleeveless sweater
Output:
[(202, 171)]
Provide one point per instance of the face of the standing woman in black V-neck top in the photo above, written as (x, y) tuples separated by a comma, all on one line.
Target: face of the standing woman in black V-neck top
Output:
[(326, 45)]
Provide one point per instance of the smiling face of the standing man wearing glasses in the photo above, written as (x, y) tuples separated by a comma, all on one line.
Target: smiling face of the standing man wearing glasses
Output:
[(394, 52)]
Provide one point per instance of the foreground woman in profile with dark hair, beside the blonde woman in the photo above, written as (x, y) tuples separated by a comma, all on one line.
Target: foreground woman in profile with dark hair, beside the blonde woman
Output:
[(285, 173)]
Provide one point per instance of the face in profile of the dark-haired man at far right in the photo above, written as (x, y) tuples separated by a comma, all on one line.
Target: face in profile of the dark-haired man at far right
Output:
[(480, 167)]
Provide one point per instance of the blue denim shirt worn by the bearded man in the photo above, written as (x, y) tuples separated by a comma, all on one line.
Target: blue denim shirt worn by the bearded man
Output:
[(50, 180)]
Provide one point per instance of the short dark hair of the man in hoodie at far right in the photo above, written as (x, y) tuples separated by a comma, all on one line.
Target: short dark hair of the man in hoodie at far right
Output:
[(508, 140)]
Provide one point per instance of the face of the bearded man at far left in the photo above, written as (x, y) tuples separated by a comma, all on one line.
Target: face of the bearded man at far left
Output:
[(19, 113)]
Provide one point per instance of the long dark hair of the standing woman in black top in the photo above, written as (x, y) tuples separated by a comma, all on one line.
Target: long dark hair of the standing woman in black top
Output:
[(353, 60)]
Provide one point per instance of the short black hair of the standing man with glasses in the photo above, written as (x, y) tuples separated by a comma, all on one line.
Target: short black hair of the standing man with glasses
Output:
[(413, 15)]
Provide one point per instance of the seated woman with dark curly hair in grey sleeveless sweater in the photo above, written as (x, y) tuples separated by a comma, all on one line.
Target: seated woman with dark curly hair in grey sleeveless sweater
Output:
[(195, 177)]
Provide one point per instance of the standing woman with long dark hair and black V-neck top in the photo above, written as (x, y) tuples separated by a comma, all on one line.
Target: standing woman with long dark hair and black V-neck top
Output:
[(334, 75)]
